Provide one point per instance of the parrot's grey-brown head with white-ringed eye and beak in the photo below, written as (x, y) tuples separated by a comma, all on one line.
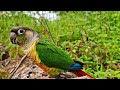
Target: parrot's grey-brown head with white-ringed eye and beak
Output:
[(23, 36)]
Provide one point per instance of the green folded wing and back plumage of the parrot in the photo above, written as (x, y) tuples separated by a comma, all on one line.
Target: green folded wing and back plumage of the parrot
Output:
[(53, 56)]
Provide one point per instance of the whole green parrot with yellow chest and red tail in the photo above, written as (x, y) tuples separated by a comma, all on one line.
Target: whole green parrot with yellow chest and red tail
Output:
[(48, 56)]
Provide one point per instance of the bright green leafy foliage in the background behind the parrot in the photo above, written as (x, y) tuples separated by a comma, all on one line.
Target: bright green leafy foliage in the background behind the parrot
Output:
[(92, 37)]
